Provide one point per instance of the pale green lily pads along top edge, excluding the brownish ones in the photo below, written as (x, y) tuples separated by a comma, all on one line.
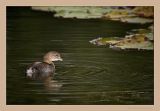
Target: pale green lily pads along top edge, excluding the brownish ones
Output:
[(85, 12)]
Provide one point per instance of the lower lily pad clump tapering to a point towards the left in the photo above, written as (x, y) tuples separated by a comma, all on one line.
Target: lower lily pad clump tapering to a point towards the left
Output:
[(137, 39)]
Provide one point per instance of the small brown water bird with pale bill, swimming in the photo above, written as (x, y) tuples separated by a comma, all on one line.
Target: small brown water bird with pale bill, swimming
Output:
[(41, 70)]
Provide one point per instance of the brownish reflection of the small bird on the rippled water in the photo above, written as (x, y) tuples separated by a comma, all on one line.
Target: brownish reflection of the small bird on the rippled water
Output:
[(47, 81)]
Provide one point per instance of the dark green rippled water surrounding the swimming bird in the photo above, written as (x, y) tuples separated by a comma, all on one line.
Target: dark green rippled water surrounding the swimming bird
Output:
[(88, 74)]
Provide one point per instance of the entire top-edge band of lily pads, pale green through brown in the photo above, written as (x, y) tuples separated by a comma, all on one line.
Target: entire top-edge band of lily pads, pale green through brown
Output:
[(124, 14)]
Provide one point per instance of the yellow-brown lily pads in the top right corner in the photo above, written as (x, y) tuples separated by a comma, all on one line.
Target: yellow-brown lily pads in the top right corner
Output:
[(140, 15)]
